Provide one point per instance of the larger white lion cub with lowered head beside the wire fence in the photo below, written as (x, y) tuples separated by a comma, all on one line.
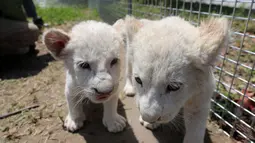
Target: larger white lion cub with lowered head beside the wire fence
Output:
[(172, 69)]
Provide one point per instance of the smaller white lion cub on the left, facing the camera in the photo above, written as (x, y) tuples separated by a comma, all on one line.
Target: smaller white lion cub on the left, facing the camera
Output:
[(91, 55)]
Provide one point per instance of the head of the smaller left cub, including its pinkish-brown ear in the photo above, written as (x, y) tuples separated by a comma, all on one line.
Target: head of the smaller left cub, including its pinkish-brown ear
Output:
[(91, 54)]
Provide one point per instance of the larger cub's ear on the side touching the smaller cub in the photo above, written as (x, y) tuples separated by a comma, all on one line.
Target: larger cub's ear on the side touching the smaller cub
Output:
[(133, 25)]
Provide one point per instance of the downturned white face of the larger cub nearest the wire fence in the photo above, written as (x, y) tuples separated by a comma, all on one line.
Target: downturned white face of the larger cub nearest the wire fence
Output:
[(163, 83)]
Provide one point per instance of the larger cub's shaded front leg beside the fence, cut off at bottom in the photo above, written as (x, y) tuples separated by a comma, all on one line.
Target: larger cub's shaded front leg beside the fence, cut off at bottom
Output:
[(195, 117)]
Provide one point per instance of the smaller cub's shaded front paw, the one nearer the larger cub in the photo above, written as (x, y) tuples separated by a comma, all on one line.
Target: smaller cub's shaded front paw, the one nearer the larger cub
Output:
[(114, 124)]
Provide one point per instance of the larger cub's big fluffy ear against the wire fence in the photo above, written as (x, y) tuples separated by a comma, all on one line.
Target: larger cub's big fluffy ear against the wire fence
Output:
[(214, 35)]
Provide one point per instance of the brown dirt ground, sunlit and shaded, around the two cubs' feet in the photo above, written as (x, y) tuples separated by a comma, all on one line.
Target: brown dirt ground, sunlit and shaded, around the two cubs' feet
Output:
[(39, 80)]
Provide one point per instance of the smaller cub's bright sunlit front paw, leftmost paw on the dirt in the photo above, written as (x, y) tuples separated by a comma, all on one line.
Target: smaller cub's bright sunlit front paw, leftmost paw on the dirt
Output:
[(72, 125)]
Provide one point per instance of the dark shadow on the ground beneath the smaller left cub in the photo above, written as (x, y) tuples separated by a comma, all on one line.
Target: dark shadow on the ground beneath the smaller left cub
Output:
[(95, 132)]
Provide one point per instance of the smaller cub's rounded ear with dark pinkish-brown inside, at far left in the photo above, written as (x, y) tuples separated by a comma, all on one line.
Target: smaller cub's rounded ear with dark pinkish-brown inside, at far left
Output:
[(56, 41)]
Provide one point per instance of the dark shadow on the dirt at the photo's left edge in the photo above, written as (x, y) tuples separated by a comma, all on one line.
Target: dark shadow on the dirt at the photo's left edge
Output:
[(19, 66)]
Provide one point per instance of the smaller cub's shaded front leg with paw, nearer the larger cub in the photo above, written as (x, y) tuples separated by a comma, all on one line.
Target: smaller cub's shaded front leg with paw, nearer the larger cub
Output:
[(111, 119)]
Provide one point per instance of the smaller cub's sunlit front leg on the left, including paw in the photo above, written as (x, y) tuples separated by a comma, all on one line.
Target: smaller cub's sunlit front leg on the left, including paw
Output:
[(76, 116)]
